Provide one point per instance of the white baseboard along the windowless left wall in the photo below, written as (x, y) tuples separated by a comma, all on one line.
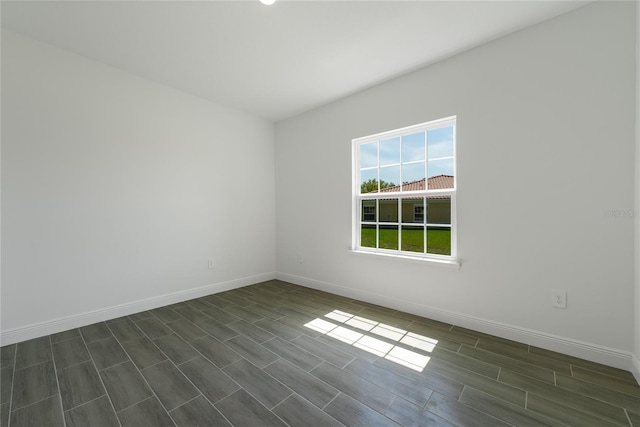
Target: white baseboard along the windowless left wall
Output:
[(84, 319)]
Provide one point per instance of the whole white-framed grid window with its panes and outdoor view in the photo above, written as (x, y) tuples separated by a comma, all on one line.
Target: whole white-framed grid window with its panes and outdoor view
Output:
[(405, 191)]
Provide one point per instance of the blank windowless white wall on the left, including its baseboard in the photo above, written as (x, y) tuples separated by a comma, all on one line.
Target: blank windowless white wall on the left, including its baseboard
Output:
[(117, 190)]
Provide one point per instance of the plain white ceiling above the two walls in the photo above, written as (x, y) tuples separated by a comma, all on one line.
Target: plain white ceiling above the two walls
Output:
[(273, 61)]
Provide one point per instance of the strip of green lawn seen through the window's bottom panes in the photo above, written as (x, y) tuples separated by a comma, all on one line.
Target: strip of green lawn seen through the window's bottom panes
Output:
[(438, 241)]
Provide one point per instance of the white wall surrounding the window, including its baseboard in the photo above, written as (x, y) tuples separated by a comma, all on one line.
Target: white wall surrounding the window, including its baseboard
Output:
[(545, 147)]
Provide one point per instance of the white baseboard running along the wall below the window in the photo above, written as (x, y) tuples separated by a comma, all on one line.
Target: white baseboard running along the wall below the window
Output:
[(584, 350)]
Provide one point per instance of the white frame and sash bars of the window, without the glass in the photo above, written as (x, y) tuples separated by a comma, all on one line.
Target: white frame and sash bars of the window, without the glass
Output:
[(357, 218)]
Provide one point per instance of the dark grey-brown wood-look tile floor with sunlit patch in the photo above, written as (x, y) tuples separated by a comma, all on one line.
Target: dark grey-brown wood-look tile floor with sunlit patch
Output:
[(280, 354)]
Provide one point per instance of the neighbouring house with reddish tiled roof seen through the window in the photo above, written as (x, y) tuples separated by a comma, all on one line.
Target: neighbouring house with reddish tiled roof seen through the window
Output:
[(437, 211)]
